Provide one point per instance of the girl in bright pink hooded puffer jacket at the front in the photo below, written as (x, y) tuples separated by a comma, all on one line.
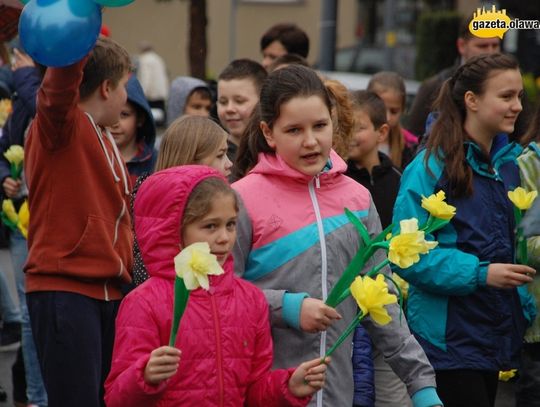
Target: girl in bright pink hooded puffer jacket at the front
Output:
[(223, 352)]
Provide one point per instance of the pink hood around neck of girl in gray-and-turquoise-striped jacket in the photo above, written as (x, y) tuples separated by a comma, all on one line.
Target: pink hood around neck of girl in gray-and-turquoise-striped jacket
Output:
[(273, 164)]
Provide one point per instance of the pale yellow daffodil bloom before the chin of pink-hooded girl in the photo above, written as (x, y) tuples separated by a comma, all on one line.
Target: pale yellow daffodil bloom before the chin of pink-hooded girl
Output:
[(194, 263)]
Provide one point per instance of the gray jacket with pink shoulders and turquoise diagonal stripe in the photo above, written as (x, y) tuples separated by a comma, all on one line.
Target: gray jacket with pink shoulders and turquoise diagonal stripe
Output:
[(294, 240)]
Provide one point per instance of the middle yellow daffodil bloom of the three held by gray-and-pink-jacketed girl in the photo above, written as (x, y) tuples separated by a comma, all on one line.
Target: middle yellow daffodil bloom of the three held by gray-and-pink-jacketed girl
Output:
[(405, 249)]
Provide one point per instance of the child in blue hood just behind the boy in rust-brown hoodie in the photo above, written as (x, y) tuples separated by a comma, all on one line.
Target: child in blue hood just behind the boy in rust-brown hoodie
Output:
[(135, 132)]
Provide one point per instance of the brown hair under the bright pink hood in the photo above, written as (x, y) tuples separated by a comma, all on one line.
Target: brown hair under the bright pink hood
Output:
[(200, 200)]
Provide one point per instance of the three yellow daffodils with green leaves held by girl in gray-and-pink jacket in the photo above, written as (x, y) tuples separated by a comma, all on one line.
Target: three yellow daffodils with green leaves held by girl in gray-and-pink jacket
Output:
[(404, 249)]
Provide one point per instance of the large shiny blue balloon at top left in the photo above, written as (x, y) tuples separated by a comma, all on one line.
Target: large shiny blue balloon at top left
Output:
[(59, 32)]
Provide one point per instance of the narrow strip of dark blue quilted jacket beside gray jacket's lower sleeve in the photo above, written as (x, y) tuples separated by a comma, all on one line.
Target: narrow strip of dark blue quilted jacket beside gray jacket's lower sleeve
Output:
[(363, 371)]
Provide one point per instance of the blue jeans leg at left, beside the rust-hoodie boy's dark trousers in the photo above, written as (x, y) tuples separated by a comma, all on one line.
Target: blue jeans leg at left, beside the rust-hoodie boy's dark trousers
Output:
[(35, 389)]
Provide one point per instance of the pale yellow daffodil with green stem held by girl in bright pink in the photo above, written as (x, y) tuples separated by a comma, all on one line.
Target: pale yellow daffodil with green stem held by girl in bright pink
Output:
[(193, 265)]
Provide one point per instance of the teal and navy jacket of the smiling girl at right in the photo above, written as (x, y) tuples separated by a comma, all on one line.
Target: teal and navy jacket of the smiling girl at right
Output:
[(460, 321)]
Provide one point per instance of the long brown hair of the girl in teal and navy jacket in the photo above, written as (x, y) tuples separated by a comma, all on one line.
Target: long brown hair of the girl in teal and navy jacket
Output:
[(447, 134)]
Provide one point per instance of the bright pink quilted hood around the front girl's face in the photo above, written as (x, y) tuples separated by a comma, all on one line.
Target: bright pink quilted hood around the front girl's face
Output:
[(158, 211)]
